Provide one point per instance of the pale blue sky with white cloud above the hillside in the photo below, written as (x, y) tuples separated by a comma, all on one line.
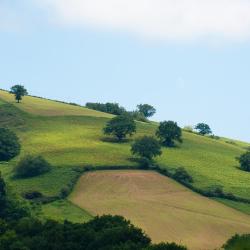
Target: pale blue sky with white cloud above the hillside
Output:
[(188, 58)]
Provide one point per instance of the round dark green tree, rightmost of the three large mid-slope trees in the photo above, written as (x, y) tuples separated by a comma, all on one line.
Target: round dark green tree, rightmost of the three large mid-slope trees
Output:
[(168, 132)]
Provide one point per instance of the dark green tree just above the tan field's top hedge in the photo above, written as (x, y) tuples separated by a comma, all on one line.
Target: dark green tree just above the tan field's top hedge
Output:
[(146, 147)]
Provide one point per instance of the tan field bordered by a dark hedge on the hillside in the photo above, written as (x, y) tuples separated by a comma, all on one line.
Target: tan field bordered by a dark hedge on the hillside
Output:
[(166, 210)]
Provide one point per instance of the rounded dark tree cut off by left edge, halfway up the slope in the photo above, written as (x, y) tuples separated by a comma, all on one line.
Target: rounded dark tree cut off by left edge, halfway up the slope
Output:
[(9, 144)]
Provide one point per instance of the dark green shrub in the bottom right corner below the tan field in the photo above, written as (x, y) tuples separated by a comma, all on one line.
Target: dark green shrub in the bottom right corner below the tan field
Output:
[(238, 242)]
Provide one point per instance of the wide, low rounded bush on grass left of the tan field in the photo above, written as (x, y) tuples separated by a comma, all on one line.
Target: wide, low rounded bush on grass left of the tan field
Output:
[(31, 166)]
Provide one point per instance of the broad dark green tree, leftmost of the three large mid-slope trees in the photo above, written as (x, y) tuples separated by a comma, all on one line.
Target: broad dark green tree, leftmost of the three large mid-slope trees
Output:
[(120, 126)]
